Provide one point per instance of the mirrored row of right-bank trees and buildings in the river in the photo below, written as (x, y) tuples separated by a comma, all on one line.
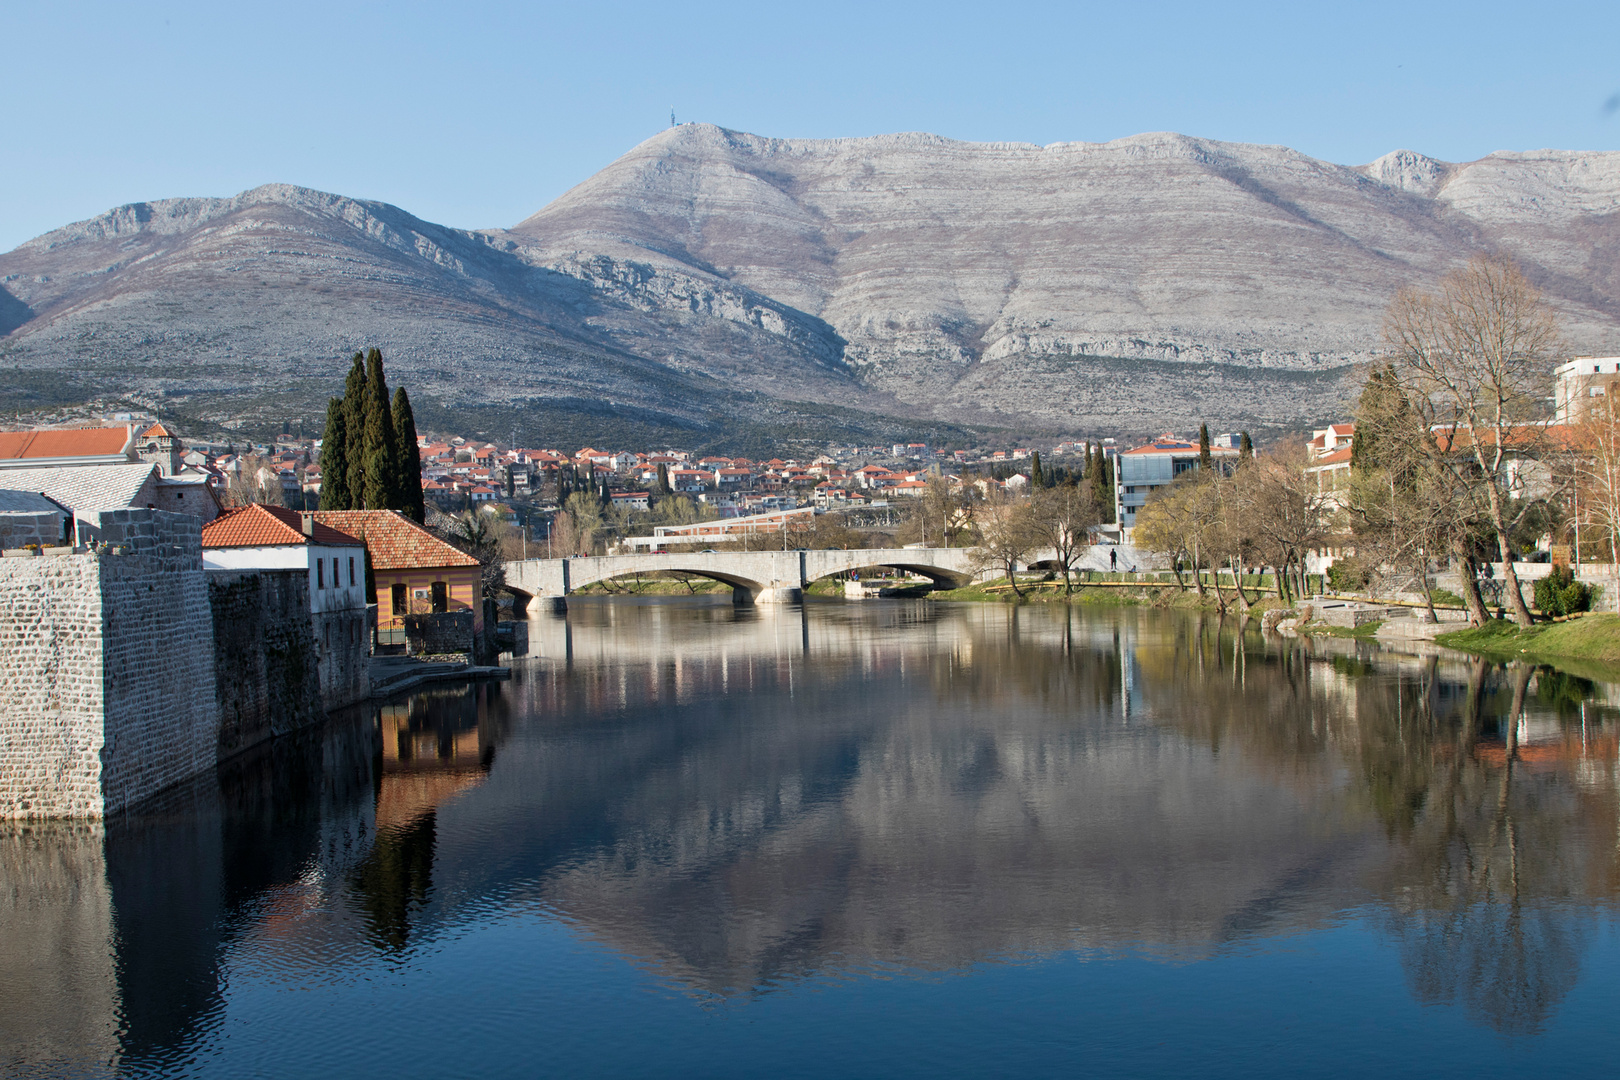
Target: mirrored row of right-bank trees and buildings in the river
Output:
[(1498, 849)]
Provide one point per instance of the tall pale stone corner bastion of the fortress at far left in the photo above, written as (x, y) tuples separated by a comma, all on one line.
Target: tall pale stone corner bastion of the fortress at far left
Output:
[(106, 668)]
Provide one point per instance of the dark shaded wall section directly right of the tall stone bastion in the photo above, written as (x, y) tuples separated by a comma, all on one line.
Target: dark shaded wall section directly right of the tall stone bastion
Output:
[(265, 657)]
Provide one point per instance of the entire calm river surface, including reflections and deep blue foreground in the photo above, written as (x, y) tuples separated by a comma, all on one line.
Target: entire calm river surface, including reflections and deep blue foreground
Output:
[(861, 840)]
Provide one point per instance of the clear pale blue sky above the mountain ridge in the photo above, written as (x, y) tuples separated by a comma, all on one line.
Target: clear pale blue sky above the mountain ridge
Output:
[(479, 116)]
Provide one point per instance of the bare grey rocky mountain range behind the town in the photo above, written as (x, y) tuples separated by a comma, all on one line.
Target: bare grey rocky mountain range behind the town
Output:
[(714, 279)]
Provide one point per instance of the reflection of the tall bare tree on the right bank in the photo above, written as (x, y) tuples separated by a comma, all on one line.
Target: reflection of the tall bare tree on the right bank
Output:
[(1480, 893)]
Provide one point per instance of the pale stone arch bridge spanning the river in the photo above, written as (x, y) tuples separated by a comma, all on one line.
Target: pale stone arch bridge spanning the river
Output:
[(769, 577)]
